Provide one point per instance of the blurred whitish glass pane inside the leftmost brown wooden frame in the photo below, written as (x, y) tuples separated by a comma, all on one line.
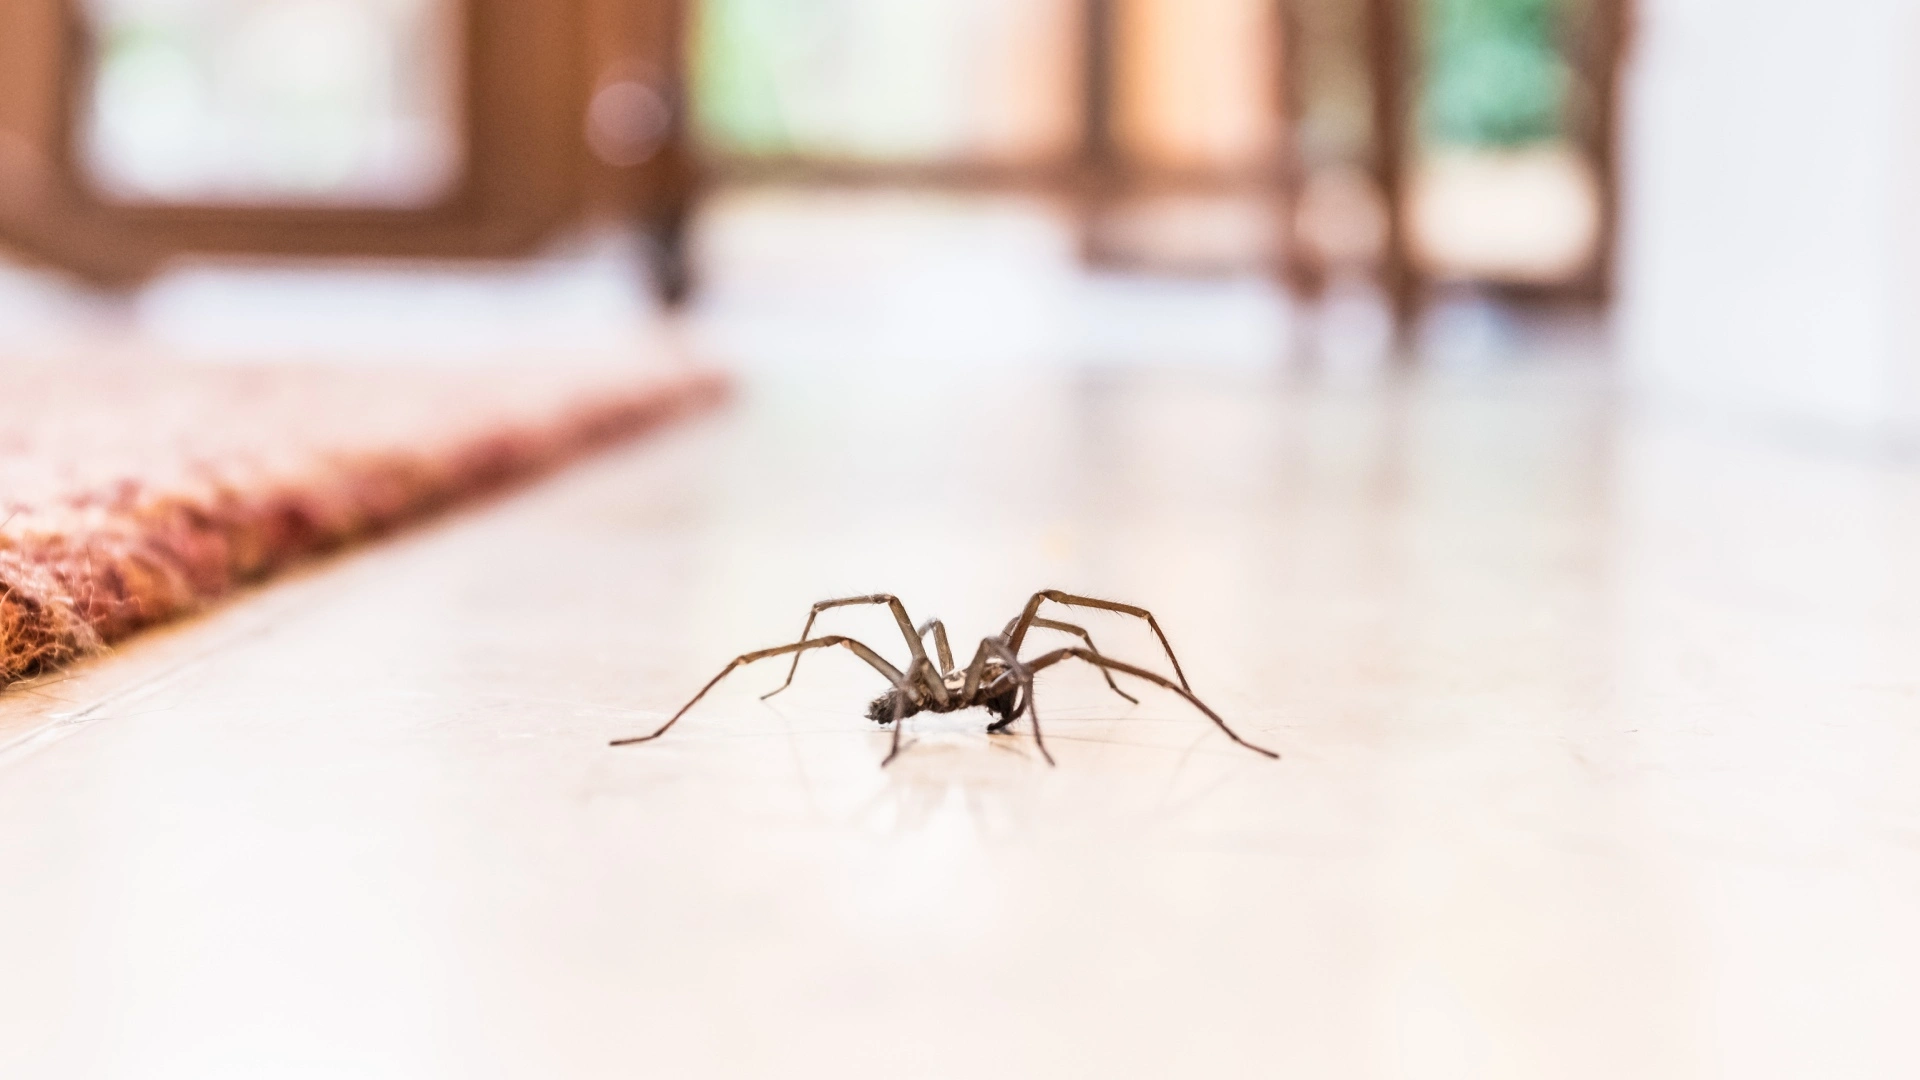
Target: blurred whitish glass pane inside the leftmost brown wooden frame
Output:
[(251, 103)]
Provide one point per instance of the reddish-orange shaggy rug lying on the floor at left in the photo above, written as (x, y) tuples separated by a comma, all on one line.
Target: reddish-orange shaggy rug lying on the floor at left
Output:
[(132, 495)]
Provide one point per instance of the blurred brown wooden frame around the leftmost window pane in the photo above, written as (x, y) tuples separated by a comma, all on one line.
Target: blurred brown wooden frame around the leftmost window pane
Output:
[(519, 180)]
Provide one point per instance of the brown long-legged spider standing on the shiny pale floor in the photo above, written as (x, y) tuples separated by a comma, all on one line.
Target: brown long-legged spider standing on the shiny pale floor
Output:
[(997, 679)]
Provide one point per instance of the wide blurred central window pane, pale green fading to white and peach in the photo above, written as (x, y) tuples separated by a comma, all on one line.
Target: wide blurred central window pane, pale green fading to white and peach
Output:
[(890, 82)]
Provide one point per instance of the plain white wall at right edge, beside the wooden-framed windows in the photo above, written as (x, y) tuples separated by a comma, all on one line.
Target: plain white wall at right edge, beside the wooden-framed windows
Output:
[(1769, 222)]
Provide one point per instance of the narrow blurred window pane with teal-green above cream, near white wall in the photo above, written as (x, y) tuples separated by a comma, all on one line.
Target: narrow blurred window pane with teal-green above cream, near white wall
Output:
[(1504, 185)]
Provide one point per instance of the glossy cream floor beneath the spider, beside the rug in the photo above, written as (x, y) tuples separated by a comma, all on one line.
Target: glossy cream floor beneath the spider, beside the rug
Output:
[(1600, 760)]
